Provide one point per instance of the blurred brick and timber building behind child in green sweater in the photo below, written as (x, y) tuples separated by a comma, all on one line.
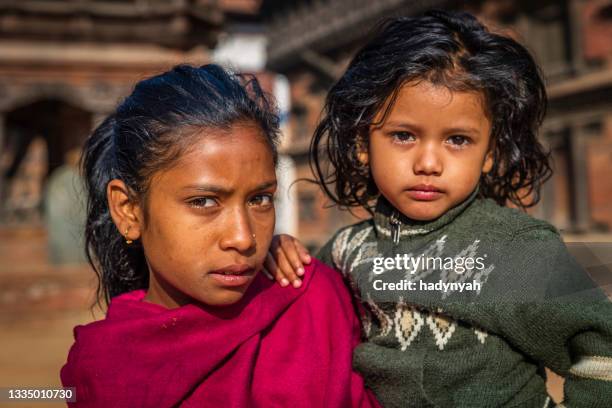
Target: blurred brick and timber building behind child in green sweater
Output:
[(312, 41)]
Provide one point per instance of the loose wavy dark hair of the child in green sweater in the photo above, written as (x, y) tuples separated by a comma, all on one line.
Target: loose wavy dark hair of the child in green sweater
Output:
[(449, 49)]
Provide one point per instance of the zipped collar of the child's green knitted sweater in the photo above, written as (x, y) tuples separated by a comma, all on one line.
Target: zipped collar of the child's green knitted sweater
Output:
[(391, 223)]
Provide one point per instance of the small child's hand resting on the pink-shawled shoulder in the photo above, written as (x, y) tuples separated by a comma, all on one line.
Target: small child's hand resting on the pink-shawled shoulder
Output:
[(285, 260)]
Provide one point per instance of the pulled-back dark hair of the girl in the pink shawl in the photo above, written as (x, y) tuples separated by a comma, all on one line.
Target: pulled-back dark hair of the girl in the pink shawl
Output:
[(150, 129)]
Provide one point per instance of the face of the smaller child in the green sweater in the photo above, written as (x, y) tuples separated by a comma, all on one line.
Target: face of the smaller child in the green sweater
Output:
[(430, 151)]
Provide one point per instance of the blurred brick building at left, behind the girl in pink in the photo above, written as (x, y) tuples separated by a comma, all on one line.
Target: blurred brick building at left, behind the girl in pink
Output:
[(65, 64)]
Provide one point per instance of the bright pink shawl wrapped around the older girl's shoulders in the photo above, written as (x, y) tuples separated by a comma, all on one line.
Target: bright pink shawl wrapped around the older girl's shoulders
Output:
[(277, 347)]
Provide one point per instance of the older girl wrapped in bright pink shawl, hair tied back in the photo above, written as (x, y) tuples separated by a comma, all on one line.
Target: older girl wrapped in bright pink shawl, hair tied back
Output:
[(180, 184)]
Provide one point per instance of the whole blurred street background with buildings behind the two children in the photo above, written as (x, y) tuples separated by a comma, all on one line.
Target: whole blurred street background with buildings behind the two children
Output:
[(65, 64)]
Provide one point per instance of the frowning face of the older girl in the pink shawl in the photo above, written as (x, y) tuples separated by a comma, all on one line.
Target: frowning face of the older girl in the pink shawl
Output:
[(210, 219)]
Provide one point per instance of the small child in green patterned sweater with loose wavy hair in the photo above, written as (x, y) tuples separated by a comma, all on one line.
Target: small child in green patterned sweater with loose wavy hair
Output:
[(432, 128)]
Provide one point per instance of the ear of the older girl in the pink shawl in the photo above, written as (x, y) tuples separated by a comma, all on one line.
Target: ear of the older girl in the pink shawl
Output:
[(125, 212)]
